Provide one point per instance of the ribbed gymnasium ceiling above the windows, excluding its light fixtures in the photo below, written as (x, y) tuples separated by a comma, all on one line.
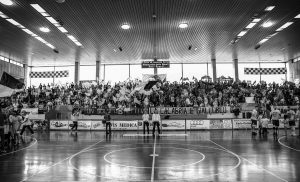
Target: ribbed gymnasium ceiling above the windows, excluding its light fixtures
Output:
[(212, 25)]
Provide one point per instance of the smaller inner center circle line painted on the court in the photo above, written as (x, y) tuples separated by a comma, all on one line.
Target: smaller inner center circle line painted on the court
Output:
[(105, 158)]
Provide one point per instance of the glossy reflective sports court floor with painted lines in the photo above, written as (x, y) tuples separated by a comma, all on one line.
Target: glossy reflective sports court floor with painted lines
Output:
[(62, 156)]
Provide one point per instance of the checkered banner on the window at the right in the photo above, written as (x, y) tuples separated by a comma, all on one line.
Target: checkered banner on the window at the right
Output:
[(264, 71)]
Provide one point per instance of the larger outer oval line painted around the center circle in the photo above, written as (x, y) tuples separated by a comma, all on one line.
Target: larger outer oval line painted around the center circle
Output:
[(197, 178)]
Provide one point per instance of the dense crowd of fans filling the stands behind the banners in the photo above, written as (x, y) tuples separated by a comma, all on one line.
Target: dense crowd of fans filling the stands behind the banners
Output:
[(129, 94)]
